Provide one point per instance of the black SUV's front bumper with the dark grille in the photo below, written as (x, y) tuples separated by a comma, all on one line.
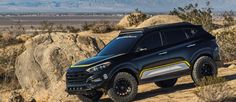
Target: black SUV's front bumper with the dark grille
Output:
[(80, 82)]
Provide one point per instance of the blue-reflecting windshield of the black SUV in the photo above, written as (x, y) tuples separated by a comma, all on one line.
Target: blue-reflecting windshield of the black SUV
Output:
[(119, 45)]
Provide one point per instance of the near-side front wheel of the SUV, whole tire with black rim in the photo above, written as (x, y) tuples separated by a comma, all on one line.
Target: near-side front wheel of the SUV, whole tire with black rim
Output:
[(124, 88)]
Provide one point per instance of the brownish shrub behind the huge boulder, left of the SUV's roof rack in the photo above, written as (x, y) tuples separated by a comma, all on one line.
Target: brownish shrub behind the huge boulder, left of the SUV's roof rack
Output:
[(102, 27)]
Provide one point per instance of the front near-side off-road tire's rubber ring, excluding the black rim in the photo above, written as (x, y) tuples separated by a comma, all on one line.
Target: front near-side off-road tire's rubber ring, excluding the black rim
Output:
[(112, 93)]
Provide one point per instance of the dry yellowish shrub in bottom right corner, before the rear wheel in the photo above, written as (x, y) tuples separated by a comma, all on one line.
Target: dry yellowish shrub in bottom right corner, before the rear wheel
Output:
[(213, 89)]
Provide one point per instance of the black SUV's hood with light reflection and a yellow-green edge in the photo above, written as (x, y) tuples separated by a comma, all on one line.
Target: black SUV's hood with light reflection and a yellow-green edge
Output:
[(94, 60)]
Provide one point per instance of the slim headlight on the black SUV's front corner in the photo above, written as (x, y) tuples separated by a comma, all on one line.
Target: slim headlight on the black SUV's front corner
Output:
[(99, 67)]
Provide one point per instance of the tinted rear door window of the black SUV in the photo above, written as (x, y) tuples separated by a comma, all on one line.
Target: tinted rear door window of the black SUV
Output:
[(173, 36)]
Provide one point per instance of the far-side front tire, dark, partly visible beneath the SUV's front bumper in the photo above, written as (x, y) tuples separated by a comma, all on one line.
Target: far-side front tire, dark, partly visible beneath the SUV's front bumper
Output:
[(91, 97)]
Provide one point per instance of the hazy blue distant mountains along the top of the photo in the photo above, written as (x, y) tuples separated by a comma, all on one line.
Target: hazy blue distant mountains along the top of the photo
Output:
[(107, 5)]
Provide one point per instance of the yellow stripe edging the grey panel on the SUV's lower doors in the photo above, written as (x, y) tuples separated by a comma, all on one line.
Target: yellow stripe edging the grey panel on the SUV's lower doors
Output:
[(148, 69)]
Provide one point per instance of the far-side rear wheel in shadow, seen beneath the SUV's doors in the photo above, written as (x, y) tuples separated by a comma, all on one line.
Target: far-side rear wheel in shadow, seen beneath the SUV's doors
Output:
[(166, 83)]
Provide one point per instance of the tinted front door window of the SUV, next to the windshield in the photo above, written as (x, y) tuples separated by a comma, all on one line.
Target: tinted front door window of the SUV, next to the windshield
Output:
[(150, 41)]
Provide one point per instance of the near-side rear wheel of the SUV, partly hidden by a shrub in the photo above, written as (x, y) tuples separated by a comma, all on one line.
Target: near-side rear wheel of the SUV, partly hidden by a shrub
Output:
[(204, 67)]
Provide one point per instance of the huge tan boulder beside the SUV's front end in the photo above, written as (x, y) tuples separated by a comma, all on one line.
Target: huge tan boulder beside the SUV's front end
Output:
[(41, 68)]
